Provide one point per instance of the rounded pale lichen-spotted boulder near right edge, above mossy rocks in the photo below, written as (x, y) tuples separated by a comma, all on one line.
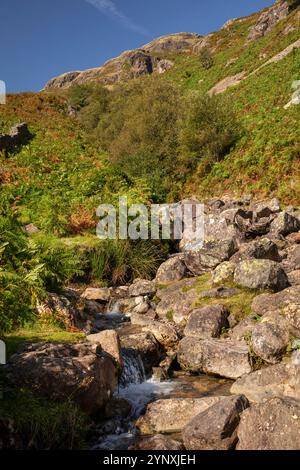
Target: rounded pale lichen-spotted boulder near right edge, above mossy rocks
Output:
[(260, 274)]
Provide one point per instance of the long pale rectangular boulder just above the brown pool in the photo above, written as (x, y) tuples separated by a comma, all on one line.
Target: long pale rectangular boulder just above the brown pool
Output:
[(225, 358)]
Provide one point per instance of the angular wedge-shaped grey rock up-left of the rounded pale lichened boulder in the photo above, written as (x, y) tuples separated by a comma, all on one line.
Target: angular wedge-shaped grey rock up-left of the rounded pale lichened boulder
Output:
[(209, 257)]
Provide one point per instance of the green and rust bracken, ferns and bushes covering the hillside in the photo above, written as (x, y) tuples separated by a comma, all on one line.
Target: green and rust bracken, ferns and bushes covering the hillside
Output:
[(155, 138)]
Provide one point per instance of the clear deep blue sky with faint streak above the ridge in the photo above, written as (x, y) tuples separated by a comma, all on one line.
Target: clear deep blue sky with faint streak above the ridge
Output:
[(43, 38)]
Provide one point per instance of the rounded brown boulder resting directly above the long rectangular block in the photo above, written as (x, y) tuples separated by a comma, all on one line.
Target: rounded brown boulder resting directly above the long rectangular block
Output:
[(207, 322)]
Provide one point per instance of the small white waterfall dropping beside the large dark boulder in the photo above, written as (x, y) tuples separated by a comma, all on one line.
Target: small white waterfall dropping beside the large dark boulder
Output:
[(133, 370)]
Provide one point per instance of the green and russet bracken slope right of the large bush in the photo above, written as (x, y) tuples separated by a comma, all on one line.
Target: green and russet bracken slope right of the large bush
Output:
[(266, 160)]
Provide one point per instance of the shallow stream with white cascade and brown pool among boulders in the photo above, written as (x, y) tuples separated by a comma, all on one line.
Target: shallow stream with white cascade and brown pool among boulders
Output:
[(119, 433)]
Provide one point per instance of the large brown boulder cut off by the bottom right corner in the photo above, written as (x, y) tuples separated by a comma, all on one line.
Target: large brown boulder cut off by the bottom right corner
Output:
[(273, 425)]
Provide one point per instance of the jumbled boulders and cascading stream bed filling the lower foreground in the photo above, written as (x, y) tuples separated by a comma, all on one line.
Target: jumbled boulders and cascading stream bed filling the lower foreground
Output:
[(221, 320)]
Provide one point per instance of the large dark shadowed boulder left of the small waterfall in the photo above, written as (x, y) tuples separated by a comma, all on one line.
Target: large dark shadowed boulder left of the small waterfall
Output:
[(60, 371)]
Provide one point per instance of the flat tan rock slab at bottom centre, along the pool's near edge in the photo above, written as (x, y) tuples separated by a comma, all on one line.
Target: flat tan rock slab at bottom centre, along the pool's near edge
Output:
[(171, 415)]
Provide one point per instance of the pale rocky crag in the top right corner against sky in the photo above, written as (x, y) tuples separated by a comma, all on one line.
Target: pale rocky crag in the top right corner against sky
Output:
[(270, 17)]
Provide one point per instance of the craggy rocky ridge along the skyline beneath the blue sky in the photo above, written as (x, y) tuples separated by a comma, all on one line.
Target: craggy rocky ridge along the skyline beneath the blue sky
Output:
[(160, 55)]
